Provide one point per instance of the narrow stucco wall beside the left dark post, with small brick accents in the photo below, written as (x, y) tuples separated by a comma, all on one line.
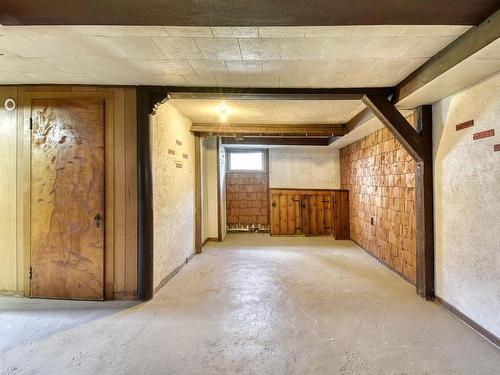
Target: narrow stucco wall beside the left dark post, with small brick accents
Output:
[(173, 190)]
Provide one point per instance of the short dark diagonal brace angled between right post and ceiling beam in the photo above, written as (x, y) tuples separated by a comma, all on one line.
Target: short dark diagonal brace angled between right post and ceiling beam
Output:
[(397, 124)]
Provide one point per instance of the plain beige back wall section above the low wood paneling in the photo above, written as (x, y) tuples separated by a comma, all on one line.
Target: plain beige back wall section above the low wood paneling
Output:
[(304, 167)]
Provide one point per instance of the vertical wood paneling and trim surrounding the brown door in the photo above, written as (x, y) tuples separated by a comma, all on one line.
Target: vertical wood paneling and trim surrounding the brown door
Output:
[(120, 185)]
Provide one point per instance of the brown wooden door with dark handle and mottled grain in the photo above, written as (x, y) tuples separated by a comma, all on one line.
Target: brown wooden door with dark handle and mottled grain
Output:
[(67, 199)]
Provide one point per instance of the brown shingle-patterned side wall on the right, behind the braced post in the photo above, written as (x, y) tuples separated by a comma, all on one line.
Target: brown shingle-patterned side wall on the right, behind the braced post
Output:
[(380, 177)]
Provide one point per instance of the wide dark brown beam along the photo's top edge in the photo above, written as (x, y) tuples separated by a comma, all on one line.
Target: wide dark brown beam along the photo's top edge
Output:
[(242, 13)]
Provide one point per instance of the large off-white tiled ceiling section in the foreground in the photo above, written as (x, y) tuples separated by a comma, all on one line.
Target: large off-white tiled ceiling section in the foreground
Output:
[(339, 56)]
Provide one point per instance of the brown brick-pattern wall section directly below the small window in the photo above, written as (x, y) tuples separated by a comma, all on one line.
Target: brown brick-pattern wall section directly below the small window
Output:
[(247, 199)]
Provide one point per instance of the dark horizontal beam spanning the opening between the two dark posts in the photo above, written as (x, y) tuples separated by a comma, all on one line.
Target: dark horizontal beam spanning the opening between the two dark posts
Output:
[(357, 93)]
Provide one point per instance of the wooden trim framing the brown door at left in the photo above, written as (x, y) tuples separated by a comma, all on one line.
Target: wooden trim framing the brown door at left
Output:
[(109, 171)]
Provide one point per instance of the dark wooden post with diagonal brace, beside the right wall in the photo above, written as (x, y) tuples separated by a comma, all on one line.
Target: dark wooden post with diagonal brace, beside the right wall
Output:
[(418, 143)]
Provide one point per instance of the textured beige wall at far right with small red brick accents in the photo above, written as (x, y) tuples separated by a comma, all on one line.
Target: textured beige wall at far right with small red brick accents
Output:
[(467, 203)]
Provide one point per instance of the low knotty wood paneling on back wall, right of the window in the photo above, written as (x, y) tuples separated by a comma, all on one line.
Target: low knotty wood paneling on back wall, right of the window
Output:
[(309, 212)]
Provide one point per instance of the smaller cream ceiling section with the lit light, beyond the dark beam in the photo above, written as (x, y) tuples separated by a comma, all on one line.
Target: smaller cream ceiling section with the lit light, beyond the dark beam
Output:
[(269, 111)]
